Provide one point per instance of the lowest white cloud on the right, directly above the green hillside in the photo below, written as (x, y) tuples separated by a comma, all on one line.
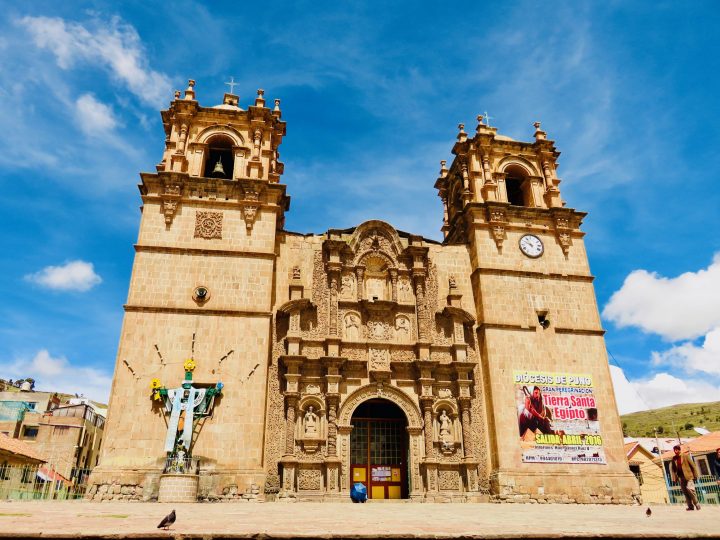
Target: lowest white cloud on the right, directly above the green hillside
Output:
[(660, 390)]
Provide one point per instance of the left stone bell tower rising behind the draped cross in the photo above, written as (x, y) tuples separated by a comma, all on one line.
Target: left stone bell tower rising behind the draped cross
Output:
[(201, 289)]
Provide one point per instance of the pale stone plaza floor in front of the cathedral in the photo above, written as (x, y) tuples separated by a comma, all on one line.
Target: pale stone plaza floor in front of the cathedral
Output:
[(79, 519)]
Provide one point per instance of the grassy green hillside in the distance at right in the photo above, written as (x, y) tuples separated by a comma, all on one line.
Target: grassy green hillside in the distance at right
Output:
[(668, 420)]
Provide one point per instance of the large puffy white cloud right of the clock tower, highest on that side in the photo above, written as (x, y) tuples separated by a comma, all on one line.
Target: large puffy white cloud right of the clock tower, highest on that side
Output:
[(683, 307)]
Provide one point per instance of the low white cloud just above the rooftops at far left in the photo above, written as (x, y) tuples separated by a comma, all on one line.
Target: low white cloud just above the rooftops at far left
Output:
[(57, 374)]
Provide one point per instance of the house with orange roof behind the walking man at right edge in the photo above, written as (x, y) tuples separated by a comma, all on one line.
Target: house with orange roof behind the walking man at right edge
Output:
[(704, 452)]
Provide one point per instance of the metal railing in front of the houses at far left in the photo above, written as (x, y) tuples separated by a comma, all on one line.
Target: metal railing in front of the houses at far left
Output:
[(28, 482)]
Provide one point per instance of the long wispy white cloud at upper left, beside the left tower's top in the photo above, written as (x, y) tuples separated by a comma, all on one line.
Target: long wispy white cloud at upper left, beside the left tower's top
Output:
[(113, 45)]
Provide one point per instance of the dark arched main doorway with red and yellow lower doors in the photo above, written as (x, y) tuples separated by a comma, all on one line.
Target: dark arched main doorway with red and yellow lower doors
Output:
[(379, 449)]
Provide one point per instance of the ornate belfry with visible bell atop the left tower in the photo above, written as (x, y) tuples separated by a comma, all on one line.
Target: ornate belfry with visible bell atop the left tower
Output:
[(222, 152)]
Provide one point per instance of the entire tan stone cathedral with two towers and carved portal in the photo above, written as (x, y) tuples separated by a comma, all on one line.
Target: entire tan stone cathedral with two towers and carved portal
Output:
[(471, 369)]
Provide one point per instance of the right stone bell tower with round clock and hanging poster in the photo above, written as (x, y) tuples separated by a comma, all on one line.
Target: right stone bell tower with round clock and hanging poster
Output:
[(537, 322)]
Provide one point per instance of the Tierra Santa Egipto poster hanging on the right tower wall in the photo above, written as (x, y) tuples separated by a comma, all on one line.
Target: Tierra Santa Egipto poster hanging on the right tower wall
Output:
[(558, 418)]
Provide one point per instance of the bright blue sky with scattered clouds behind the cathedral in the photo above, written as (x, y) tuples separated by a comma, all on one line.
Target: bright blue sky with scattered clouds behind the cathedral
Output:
[(372, 93)]
